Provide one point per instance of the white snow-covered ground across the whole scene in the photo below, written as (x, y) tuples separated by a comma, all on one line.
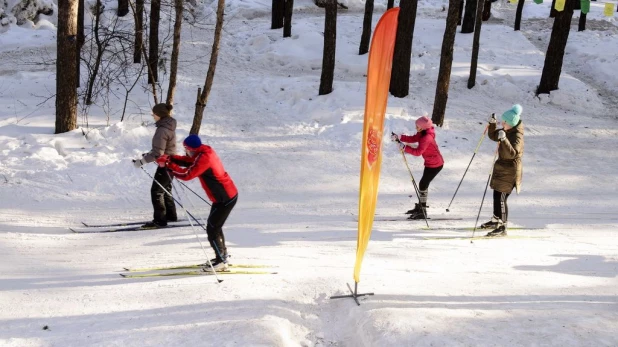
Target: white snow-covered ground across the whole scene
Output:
[(295, 157)]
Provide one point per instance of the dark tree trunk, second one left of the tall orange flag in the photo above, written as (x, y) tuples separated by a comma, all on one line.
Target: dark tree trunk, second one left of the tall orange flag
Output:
[(330, 43)]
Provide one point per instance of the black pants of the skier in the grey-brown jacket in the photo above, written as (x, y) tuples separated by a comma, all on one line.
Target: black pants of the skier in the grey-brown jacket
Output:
[(162, 203)]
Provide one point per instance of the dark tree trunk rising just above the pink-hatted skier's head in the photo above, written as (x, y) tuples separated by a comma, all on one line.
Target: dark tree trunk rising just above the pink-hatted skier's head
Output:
[(446, 61)]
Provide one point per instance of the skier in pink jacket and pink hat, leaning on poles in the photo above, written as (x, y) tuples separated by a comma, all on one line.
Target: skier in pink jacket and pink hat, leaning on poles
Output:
[(428, 148)]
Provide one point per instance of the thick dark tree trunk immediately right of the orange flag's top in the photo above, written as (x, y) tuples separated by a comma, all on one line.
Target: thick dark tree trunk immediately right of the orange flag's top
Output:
[(400, 76)]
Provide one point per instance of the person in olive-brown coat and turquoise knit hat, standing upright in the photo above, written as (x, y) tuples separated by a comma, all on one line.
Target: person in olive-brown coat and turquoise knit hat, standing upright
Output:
[(507, 169)]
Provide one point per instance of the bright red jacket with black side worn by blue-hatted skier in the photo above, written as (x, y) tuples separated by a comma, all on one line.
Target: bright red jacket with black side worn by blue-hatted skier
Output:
[(206, 165)]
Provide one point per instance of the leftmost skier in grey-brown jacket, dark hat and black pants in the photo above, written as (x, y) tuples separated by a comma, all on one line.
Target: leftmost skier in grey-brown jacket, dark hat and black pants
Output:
[(163, 142)]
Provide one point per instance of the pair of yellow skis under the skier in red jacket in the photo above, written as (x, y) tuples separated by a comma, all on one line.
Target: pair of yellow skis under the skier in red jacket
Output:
[(196, 270)]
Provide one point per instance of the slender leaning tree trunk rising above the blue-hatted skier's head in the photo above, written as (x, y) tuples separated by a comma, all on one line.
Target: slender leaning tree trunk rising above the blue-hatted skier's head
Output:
[(200, 104)]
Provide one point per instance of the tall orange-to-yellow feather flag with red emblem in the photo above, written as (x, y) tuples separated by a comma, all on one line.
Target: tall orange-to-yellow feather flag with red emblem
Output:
[(378, 80)]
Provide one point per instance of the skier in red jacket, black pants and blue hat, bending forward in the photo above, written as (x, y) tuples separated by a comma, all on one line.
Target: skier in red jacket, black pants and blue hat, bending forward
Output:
[(202, 162)]
